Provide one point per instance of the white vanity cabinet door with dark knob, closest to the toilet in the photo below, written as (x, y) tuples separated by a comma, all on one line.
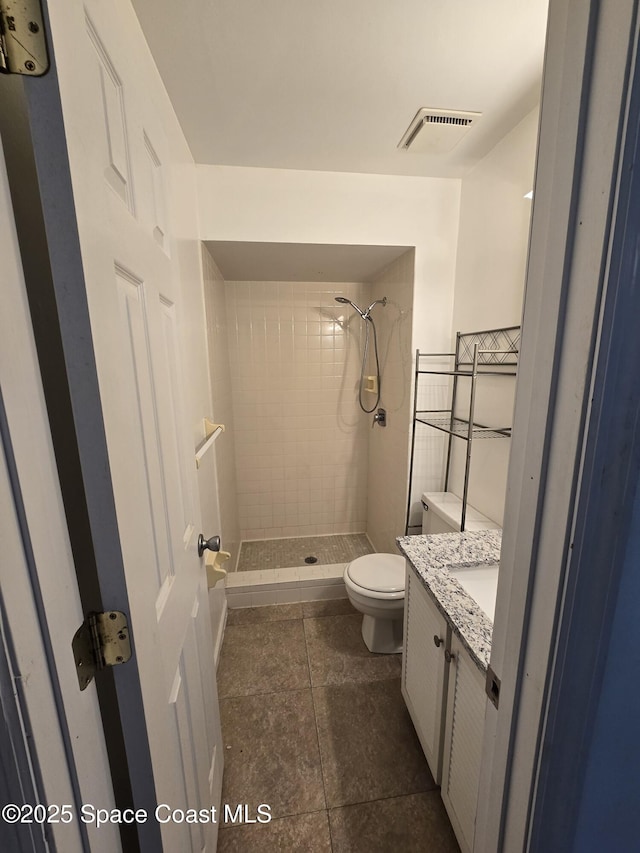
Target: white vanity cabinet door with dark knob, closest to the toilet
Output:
[(423, 669)]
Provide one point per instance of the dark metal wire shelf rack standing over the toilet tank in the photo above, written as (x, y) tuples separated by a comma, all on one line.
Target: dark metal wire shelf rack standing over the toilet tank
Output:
[(491, 352)]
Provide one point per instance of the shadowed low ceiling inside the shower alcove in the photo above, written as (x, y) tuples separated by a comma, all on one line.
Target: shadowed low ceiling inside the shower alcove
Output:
[(301, 261)]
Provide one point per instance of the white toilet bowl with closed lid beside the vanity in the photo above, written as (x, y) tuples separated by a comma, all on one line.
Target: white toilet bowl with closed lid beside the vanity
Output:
[(375, 587)]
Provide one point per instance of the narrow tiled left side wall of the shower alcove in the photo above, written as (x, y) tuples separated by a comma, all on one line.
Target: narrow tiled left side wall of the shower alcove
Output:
[(224, 447)]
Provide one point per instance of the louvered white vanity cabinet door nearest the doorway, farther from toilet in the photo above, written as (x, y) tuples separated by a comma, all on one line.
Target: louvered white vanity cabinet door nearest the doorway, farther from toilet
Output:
[(466, 705)]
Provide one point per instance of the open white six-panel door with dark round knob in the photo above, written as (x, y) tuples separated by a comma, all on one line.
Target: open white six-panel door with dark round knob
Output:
[(134, 192)]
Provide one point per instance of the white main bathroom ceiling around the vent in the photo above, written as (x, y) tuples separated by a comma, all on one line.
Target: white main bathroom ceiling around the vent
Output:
[(333, 84)]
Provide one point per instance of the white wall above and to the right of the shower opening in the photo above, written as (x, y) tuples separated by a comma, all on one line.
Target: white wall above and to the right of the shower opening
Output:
[(280, 205)]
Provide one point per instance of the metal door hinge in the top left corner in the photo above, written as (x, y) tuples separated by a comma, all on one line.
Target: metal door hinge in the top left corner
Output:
[(23, 45)]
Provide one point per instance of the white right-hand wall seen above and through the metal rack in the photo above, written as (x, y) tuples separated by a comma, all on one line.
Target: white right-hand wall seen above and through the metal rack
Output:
[(489, 288)]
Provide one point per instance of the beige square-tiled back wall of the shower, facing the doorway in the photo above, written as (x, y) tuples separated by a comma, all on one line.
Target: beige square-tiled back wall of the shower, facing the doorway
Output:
[(301, 441)]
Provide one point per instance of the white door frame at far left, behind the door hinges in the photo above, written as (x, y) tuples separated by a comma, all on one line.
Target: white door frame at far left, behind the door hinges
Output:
[(40, 606)]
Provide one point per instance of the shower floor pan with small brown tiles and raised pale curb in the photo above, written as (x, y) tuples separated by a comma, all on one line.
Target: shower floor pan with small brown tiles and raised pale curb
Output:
[(262, 578)]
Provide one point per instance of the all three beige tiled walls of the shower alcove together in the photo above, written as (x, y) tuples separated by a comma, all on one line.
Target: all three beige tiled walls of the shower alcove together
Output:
[(299, 458)]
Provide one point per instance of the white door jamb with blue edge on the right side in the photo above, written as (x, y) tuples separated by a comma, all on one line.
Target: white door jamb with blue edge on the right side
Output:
[(582, 117)]
